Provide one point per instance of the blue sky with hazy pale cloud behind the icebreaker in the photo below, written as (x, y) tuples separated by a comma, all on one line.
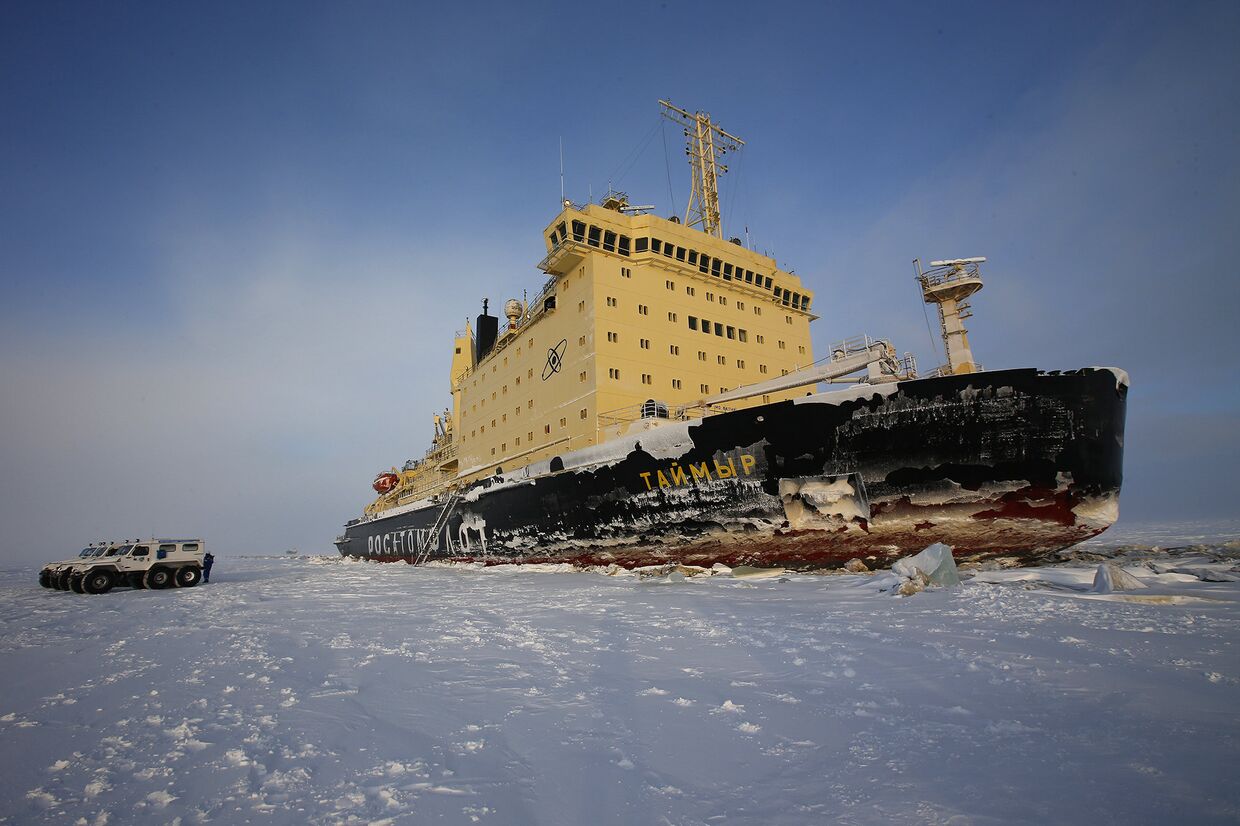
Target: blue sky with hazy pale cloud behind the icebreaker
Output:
[(236, 239)]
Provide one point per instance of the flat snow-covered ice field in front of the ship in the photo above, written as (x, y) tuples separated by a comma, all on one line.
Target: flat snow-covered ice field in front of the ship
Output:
[(324, 691)]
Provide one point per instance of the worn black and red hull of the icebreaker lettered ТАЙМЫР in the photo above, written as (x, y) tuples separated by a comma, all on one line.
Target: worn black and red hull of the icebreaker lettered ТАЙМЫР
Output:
[(1005, 463)]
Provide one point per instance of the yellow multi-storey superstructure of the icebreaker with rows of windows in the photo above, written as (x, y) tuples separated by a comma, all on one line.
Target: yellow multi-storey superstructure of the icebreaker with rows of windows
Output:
[(640, 317)]
